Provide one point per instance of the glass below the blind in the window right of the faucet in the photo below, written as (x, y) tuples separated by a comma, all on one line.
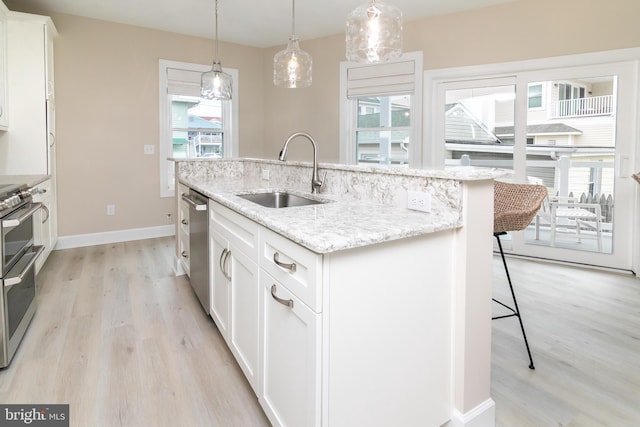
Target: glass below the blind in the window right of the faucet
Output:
[(383, 130)]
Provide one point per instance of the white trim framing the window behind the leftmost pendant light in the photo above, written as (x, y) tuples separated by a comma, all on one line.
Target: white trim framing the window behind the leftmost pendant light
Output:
[(230, 109)]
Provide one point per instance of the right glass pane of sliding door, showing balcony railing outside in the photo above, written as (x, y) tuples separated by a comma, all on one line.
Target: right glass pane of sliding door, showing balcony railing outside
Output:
[(571, 151)]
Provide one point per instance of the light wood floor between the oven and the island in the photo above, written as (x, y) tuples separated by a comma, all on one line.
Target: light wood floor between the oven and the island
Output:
[(126, 343)]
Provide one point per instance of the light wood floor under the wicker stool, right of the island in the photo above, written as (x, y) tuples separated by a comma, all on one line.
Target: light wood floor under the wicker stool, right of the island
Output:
[(583, 326)]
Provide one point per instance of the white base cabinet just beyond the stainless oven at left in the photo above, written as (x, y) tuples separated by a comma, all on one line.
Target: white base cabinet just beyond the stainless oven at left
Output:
[(45, 225)]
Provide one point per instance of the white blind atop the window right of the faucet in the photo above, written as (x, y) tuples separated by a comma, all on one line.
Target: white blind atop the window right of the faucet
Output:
[(381, 79)]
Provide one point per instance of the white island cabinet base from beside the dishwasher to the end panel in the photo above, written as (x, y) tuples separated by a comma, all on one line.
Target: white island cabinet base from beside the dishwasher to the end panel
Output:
[(341, 336)]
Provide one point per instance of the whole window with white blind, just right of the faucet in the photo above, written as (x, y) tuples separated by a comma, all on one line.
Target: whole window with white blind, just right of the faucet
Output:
[(380, 112)]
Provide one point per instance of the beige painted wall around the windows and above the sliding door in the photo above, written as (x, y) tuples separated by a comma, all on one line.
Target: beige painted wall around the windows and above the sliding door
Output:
[(107, 100)]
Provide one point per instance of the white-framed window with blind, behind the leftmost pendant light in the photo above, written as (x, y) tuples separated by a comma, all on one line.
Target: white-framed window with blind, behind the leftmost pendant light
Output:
[(190, 126)]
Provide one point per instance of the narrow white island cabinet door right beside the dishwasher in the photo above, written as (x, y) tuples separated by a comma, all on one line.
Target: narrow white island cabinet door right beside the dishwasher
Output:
[(220, 283)]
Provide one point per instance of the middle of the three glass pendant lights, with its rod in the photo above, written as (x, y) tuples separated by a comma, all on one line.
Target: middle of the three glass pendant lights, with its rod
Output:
[(292, 66)]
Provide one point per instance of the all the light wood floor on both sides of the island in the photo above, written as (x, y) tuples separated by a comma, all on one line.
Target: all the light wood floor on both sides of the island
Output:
[(126, 343)]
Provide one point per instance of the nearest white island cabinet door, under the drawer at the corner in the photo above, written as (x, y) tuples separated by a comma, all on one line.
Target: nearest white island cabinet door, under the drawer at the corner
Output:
[(290, 389)]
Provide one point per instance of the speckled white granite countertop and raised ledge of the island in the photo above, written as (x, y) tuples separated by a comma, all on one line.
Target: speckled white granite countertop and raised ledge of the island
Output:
[(364, 206)]
